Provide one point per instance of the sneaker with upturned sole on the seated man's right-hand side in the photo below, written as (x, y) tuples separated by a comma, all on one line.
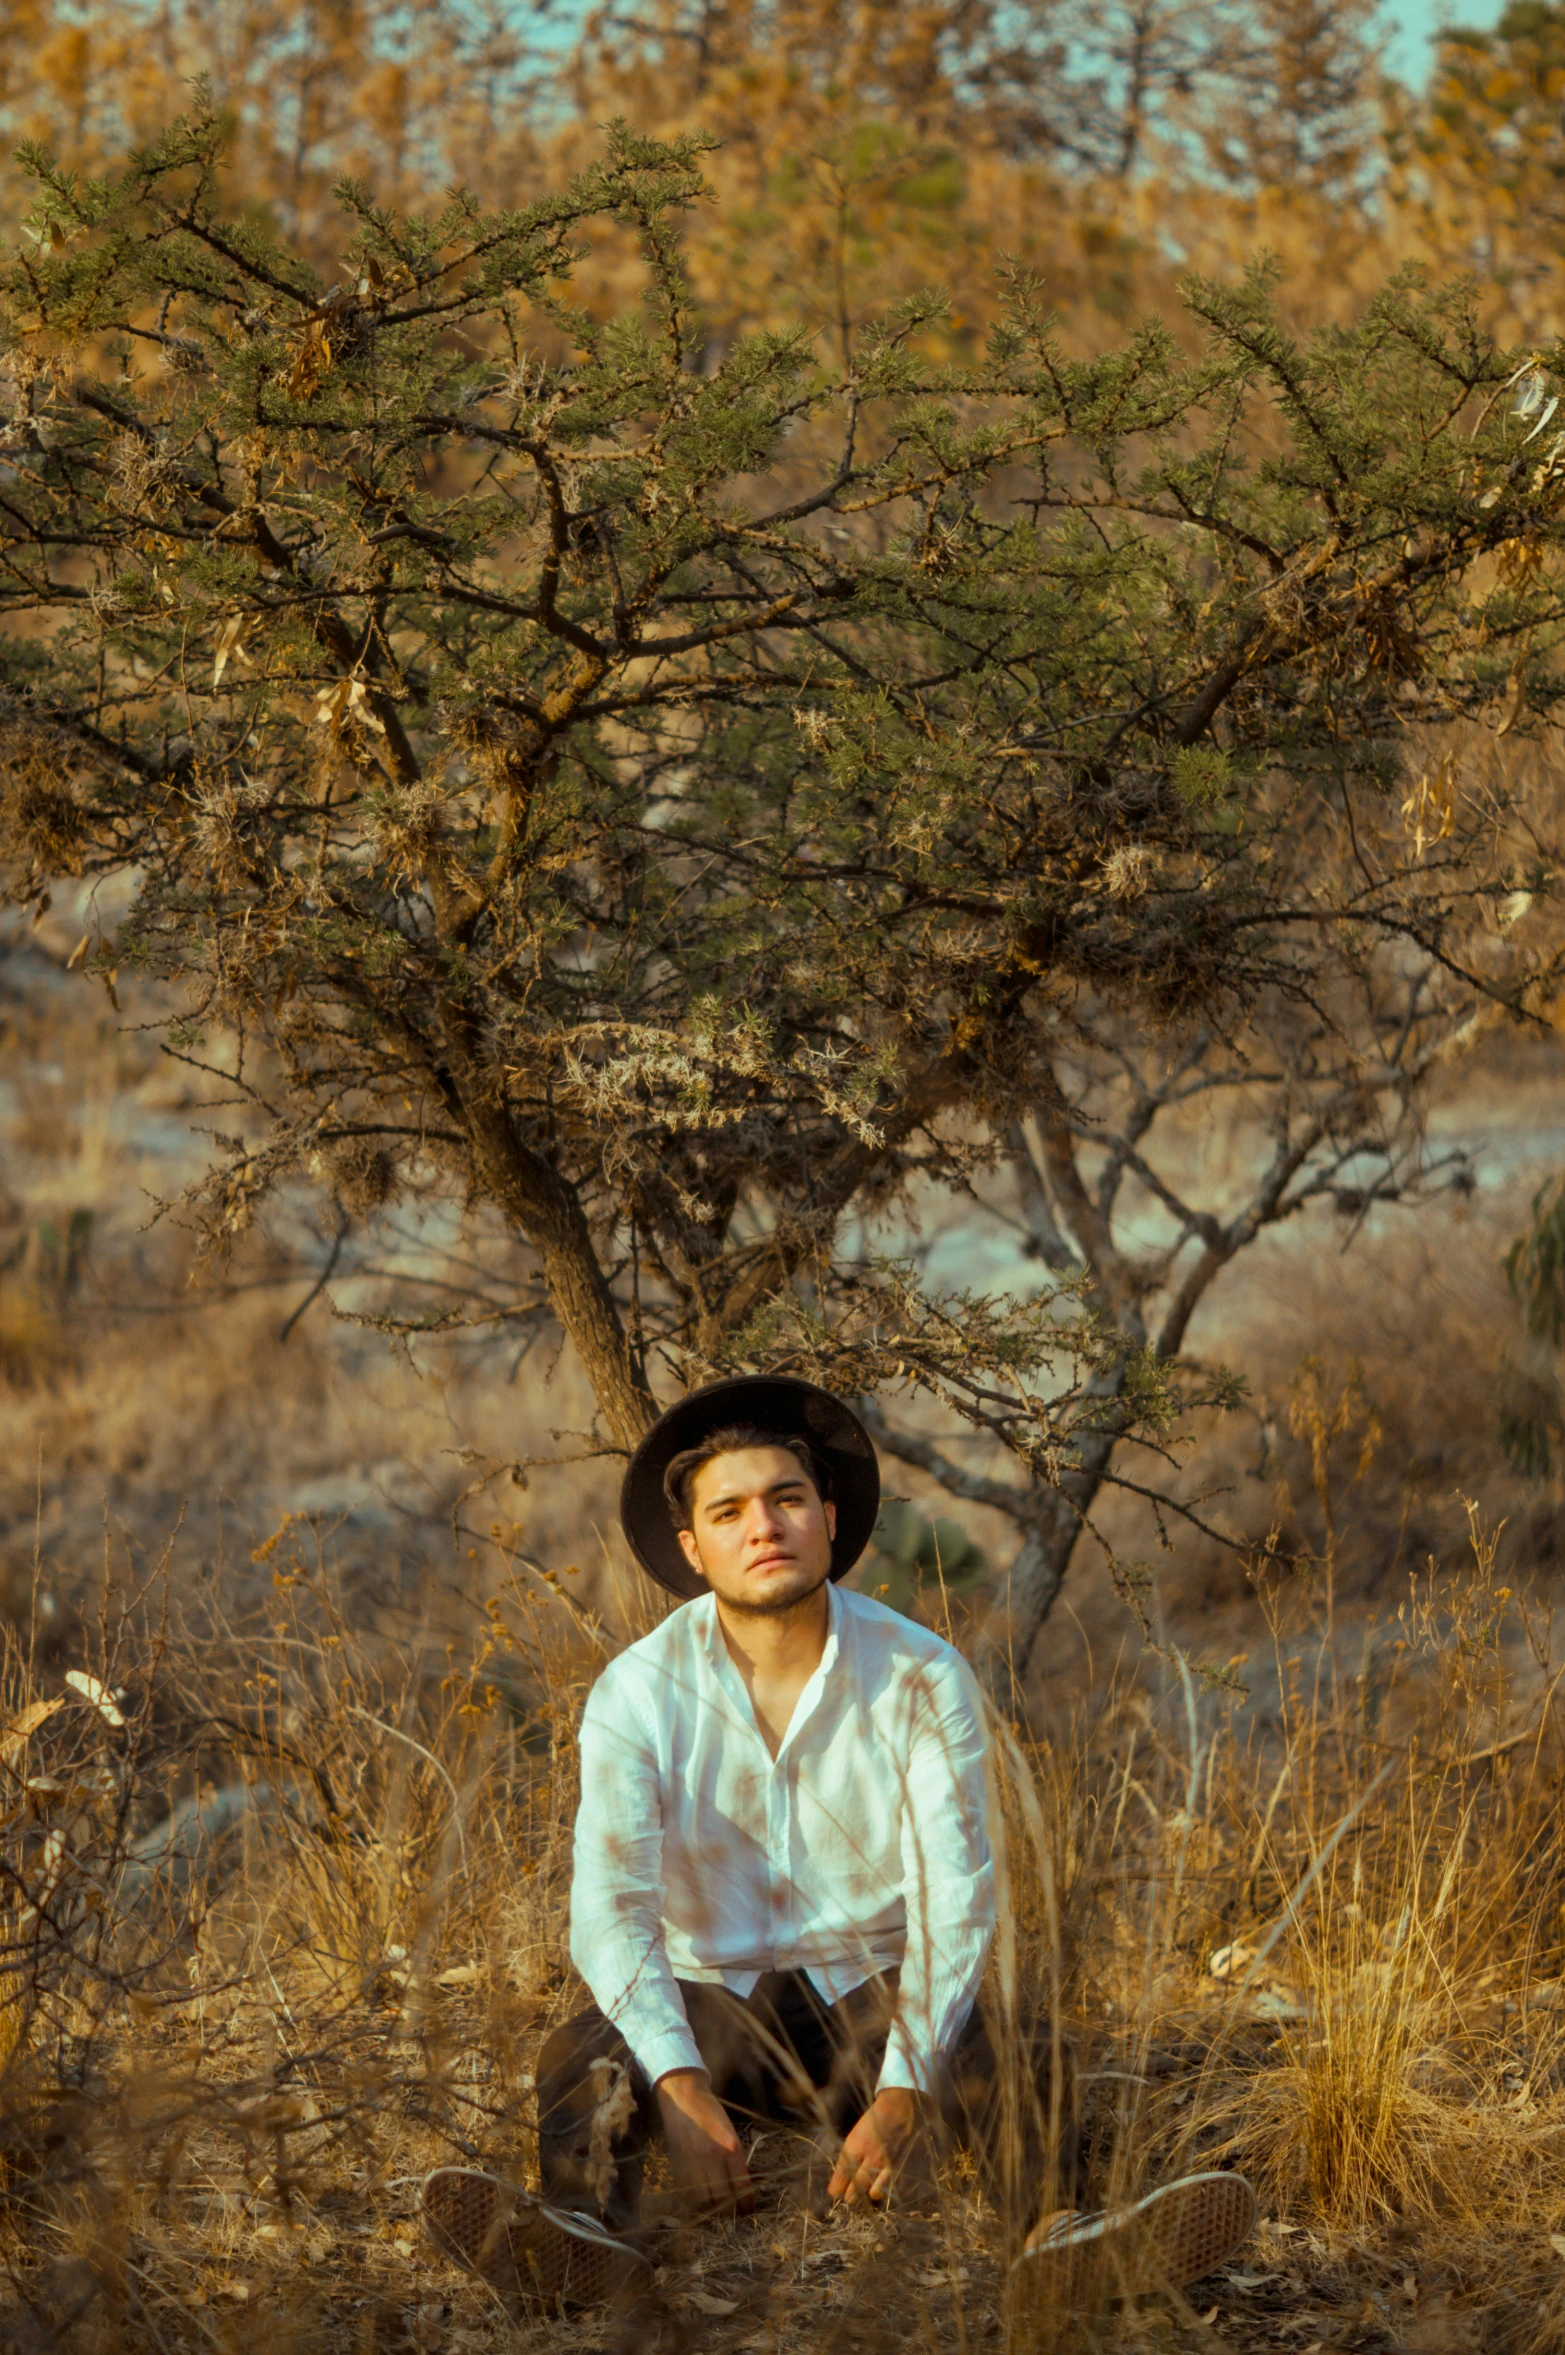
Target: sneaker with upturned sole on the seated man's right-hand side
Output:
[(1171, 2238)]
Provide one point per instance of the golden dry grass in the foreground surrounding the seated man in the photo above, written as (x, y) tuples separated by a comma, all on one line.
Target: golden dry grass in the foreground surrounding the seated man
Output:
[(227, 2069)]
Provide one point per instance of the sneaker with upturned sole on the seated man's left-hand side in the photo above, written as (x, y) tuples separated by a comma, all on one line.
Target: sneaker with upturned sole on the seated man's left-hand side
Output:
[(528, 2253)]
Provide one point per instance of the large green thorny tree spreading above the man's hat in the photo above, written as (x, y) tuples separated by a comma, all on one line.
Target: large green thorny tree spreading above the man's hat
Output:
[(702, 804)]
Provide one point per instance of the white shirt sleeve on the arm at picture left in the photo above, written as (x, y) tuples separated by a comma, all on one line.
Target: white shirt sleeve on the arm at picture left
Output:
[(618, 1885)]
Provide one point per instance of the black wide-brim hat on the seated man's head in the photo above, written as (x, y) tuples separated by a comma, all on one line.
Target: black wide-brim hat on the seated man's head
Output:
[(768, 1402)]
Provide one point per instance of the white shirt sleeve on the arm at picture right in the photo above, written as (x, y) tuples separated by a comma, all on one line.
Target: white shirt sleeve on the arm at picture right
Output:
[(950, 1878)]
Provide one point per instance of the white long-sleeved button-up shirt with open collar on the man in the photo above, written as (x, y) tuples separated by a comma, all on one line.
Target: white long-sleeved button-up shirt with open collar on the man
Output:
[(858, 1850)]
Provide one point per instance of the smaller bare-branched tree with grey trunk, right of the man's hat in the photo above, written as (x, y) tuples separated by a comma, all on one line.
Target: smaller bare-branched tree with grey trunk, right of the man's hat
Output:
[(1112, 1186)]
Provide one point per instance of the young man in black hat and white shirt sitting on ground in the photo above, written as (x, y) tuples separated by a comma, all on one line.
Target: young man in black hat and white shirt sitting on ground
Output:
[(785, 1890)]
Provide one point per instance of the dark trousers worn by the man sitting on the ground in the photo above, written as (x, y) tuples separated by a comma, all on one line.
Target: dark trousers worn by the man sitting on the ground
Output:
[(780, 2057)]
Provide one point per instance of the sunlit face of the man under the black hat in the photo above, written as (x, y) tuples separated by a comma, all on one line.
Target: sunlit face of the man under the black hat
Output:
[(761, 1537)]
